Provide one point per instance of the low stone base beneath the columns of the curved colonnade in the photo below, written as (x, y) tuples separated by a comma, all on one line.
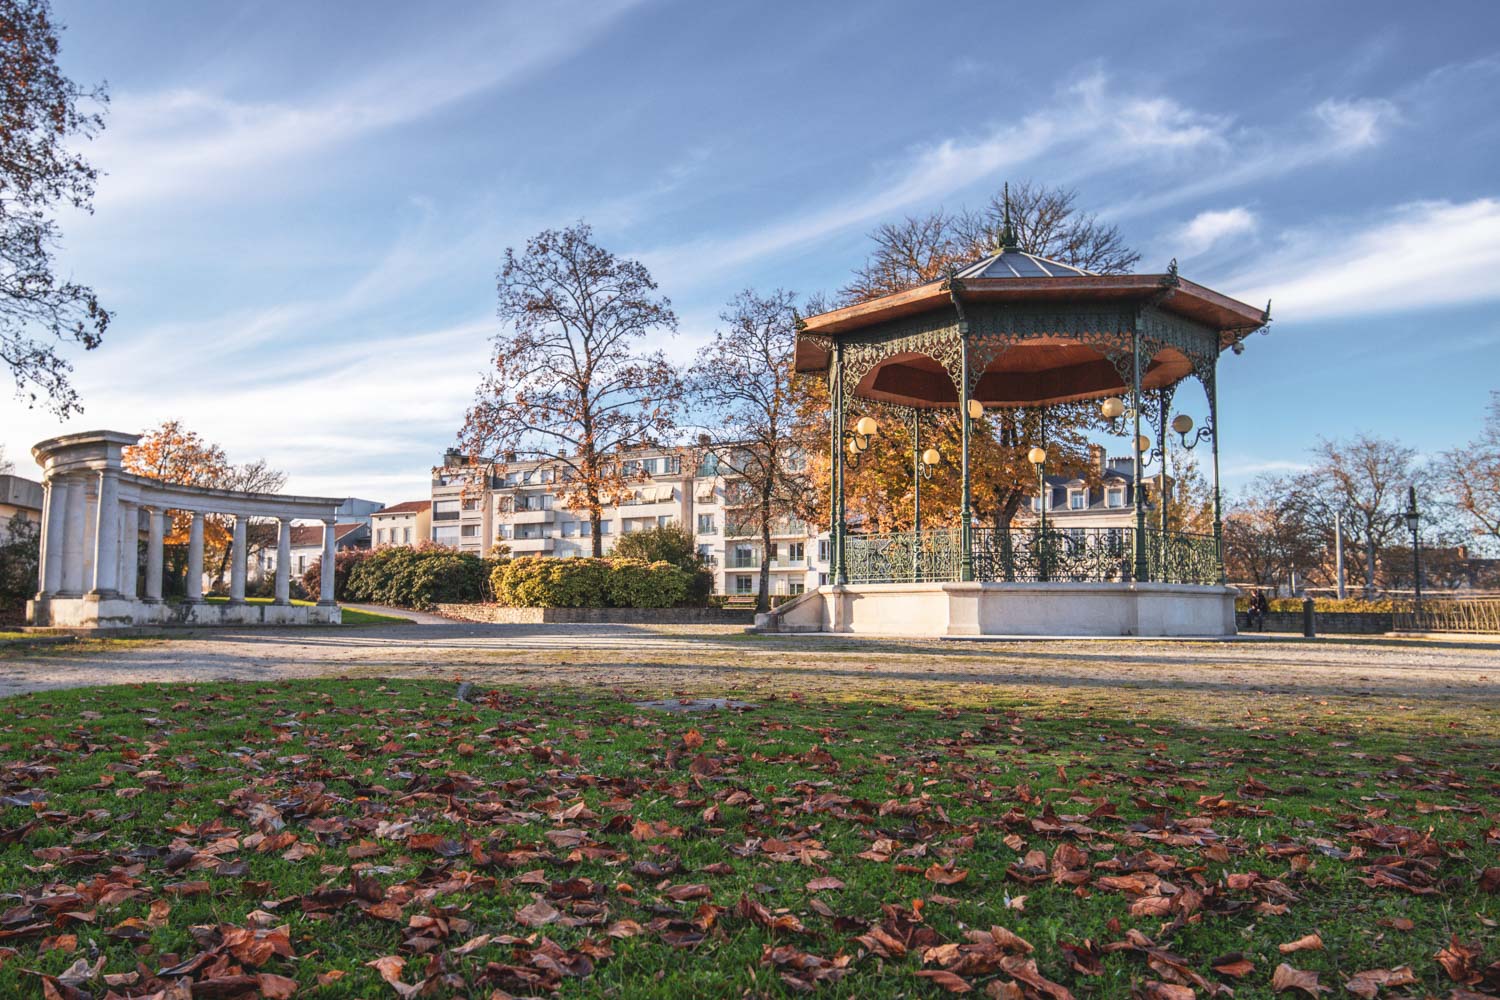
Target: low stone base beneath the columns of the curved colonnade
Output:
[(119, 612)]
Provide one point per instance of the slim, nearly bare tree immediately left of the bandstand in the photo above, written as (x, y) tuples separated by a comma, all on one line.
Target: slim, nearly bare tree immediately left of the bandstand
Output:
[(746, 389)]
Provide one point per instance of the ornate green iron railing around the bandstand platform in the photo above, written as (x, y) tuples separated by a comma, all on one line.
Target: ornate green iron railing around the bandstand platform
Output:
[(1027, 555)]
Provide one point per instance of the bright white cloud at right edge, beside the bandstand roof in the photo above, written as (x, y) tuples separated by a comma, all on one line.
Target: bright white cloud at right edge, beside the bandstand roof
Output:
[(1424, 254)]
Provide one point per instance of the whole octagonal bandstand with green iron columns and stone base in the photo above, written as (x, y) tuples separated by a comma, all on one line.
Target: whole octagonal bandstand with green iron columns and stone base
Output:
[(1016, 331)]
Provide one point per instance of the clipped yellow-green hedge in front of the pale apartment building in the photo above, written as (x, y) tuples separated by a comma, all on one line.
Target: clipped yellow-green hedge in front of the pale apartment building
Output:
[(583, 582)]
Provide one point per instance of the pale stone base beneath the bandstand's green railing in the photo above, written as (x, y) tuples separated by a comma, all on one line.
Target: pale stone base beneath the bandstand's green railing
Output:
[(941, 611)]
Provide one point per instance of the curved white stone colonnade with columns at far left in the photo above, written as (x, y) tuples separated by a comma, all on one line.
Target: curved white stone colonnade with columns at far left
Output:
[(92, 516)]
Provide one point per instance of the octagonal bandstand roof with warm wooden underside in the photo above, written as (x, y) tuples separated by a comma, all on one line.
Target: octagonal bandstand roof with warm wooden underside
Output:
[(1039, 332)]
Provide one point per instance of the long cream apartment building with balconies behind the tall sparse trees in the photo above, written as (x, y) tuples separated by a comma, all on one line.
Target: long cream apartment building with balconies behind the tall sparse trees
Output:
[(518, 504)]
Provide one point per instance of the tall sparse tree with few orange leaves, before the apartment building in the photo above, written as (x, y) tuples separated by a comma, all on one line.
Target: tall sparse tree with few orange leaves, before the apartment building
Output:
[(569, 385)]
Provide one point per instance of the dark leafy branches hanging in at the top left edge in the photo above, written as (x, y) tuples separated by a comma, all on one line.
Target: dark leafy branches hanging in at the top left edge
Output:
[(43, 116)]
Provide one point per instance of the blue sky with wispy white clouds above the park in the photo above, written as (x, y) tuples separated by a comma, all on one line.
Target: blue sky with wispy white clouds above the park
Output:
[(304, 206)]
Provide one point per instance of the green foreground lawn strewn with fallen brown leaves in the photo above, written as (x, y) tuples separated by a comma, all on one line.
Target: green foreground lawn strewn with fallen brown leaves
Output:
[(319, 837)]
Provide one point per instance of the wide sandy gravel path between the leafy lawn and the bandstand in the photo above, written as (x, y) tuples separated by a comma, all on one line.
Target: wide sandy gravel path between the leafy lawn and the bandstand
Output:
[(1237, 677)]
